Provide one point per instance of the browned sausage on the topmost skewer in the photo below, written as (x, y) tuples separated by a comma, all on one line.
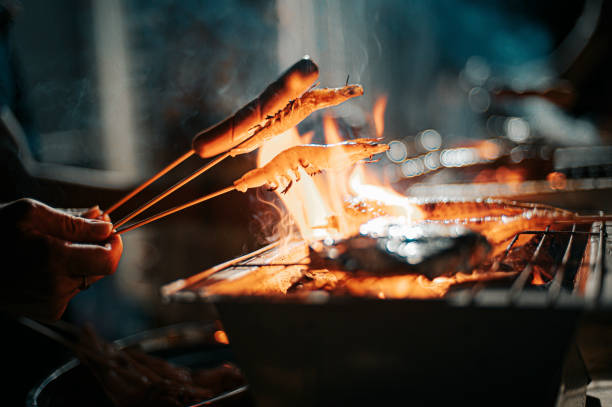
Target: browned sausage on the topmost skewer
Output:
[(237, 128)]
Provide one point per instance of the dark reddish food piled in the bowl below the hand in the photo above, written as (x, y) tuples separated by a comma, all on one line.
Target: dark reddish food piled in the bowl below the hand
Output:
[(132, 378)]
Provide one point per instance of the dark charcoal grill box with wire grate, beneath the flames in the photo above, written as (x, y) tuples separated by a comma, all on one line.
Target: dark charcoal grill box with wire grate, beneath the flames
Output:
[(487, 343)]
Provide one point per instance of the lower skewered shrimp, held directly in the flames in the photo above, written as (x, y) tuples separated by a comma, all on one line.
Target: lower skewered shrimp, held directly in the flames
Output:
[(283, 169)]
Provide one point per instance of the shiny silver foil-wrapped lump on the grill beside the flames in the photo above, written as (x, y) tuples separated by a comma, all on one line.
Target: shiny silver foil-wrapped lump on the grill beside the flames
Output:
[(390, 246)]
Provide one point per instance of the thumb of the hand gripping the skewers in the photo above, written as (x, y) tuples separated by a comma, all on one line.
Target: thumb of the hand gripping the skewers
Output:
[(68, 227)]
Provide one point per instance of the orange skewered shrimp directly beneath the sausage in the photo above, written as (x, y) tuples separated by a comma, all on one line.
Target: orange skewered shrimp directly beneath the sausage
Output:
[(294, 112)]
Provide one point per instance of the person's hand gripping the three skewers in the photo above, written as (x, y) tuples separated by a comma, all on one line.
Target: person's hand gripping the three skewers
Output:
[(46, 252)]
